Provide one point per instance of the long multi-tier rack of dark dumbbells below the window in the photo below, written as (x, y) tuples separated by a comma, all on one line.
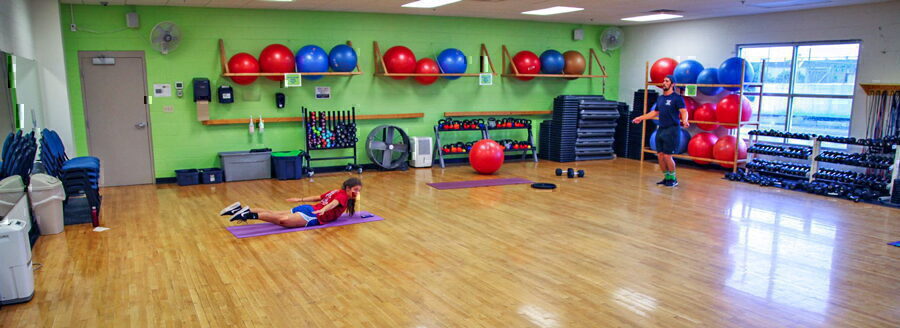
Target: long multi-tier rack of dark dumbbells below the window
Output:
[(869, 177)]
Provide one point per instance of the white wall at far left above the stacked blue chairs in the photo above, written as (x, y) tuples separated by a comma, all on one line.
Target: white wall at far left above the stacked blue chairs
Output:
[(31, 29)]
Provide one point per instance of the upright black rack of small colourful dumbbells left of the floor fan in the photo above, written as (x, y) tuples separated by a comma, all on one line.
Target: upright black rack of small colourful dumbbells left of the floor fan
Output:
[(334, 121)]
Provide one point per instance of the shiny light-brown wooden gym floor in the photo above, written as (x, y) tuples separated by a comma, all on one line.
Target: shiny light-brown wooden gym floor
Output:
[(609, 250)]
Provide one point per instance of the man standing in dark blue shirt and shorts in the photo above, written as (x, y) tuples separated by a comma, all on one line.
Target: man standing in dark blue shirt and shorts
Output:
[(671, 113)]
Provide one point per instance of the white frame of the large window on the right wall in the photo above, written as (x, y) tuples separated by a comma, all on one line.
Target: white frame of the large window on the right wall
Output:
[(790, 95)]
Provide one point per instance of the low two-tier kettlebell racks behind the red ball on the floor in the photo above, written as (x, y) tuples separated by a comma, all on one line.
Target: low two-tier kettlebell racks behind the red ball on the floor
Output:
[(484, 126)]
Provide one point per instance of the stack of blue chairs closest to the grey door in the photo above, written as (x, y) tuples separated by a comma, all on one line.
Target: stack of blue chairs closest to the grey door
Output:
[(80, 175)]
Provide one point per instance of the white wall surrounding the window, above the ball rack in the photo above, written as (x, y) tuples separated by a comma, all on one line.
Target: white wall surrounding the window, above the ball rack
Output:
[(714, 40)]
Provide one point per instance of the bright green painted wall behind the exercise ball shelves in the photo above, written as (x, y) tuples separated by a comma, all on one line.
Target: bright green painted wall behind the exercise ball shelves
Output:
[(180, 141)]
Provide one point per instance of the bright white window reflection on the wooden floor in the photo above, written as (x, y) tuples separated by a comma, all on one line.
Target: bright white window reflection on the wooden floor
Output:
[(782, 258)]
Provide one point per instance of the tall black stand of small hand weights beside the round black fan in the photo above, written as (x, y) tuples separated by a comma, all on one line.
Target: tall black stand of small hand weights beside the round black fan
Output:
[(330, 130)]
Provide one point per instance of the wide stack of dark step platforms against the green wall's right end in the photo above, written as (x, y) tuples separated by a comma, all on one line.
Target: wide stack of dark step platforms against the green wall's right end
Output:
[(583, 128)]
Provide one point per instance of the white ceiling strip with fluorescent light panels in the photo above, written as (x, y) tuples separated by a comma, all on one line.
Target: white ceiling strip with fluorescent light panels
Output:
[(607, 12)]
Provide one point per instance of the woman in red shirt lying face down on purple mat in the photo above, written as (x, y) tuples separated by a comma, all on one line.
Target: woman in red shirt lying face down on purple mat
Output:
[(329, 207)]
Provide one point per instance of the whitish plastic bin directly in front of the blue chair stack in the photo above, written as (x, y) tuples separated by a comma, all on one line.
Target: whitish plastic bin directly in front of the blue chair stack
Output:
[(47, 194)]
